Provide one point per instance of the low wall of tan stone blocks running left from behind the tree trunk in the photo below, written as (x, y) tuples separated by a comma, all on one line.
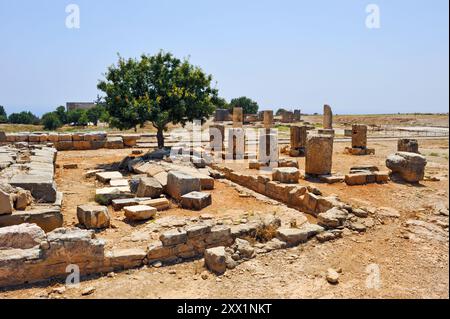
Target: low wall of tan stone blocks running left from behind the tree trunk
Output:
[(73, 141)]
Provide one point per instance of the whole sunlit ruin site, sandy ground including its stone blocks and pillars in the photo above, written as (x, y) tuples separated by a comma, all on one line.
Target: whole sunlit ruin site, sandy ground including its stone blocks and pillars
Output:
[(258, 207)]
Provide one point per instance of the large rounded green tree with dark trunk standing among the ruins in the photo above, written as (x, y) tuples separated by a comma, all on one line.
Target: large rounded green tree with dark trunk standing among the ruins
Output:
[(161, 89)]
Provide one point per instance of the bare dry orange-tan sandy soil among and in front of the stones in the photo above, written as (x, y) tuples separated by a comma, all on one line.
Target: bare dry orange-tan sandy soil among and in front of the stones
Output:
[(410, 266)]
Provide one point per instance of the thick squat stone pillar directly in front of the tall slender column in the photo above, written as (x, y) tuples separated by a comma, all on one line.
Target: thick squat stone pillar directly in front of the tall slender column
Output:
[(319, 155)]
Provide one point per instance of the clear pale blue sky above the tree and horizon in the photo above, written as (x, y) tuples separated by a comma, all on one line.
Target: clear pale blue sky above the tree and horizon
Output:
[(280, 53)]
